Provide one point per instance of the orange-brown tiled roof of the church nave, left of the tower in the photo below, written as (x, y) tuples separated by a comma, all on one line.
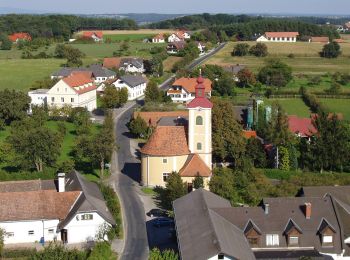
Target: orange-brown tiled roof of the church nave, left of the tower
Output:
[(167, 141)]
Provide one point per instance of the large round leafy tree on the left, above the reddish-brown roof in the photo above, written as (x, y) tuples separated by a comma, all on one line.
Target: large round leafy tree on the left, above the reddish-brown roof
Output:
[(36, 145)]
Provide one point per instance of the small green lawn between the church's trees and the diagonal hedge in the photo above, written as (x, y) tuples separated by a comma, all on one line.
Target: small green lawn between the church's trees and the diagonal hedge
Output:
[(293, 106)]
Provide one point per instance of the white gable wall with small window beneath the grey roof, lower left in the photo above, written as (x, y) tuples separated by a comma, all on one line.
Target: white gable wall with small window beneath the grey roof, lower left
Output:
[(84, 230)]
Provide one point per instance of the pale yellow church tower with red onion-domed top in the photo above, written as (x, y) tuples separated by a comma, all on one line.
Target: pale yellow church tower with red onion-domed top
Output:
[(199, 124)]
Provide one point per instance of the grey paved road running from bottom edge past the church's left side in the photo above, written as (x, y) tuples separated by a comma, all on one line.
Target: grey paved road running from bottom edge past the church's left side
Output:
[(127, 175)]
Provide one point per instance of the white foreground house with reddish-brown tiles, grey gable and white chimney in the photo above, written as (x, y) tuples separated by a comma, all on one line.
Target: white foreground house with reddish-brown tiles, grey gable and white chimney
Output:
[(69, 209)]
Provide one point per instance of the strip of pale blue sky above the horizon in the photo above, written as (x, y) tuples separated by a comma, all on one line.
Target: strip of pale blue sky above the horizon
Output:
[(336, 7)]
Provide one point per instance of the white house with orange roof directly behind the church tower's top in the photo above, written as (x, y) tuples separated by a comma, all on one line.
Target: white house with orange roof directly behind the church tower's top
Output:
[(183, 90)]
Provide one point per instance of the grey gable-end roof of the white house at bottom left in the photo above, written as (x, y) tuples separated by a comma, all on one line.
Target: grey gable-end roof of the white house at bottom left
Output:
[(90, 200)]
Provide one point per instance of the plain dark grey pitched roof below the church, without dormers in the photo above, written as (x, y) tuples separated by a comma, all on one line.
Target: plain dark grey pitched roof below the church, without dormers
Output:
[(202, 233)]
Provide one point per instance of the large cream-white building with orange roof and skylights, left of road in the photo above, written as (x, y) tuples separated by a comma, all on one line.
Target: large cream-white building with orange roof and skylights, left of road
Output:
[(76, 90)]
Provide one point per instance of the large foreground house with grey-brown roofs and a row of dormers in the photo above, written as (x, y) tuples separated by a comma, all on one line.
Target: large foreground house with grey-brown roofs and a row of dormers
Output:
[(279, 228)]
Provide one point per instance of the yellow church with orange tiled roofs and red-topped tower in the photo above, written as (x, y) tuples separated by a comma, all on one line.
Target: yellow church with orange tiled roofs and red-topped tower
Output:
[(180, 144)]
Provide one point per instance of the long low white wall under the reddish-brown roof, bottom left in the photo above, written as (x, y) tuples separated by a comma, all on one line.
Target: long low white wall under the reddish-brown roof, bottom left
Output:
[(20, 231)]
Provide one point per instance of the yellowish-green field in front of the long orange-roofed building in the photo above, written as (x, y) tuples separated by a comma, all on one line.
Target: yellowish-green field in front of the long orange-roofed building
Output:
[(306, 60)]
